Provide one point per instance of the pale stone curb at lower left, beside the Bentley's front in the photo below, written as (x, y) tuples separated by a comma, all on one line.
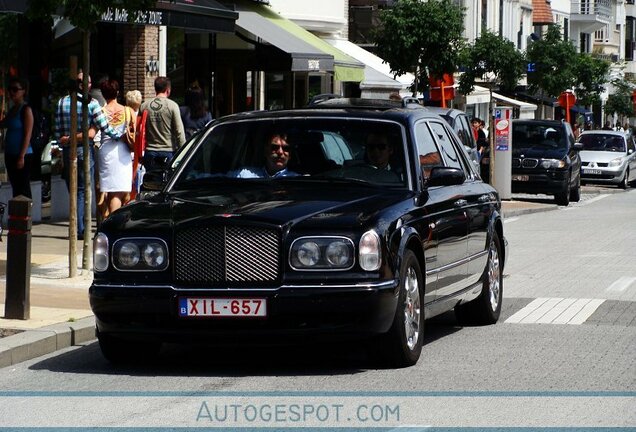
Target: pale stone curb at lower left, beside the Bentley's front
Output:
[(35, 343)]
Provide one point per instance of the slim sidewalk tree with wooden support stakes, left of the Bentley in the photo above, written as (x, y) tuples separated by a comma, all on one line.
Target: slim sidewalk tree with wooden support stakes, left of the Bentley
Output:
[(84, 15)]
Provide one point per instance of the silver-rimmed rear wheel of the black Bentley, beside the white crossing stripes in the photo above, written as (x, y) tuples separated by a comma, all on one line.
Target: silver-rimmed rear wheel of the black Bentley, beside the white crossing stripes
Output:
[(486, 308)]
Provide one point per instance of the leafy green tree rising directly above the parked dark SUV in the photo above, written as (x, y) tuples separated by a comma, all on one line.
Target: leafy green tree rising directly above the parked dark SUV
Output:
[(554, 63)]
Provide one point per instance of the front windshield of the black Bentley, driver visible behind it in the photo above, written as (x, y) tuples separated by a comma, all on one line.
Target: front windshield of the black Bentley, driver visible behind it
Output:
[(297, 149)]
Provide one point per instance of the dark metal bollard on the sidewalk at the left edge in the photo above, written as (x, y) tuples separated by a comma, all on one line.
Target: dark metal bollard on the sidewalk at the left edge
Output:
[(17, 297)]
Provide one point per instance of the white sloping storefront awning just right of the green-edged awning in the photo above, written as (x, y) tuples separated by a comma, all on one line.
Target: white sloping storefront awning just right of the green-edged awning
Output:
[(377, 73)]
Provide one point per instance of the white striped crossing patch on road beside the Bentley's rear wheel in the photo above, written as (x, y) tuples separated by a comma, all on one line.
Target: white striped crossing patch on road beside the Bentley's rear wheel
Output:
[(545, 310)]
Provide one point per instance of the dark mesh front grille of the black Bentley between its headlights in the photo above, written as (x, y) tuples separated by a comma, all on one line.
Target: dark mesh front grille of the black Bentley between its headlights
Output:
[(227, 254)]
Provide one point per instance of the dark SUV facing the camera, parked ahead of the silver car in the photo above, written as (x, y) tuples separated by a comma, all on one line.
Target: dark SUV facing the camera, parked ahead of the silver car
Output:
[(545, 160)]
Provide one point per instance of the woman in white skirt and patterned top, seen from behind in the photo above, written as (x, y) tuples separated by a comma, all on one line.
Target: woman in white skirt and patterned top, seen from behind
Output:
[(115, 162)]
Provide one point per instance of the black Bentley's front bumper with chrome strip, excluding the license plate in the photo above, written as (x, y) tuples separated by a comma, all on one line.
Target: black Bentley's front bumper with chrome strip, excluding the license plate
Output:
[(151, 312)]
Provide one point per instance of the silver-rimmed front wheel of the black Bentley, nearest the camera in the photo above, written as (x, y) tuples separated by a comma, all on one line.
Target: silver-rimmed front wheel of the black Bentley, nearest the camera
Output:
[(405, 337)]
